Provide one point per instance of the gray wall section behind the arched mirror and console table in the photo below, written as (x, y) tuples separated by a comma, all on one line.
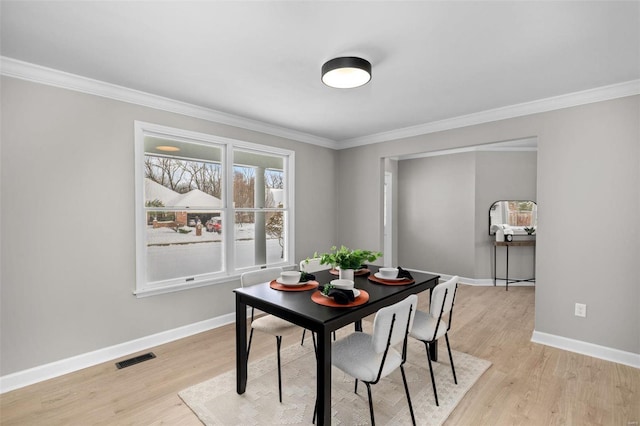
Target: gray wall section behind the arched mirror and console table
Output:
[(502, 175)]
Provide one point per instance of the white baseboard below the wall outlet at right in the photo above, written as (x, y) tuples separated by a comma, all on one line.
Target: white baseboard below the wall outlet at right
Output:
[(585, 348)]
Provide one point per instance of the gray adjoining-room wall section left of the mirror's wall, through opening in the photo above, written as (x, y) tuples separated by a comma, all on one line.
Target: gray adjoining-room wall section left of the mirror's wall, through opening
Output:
[(435, 214)]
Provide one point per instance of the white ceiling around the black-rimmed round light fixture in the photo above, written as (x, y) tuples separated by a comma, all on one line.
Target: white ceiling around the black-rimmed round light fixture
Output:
[(431, 60)]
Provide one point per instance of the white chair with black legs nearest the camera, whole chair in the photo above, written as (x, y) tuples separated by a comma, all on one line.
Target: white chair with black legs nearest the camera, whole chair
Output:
[(370, 357)]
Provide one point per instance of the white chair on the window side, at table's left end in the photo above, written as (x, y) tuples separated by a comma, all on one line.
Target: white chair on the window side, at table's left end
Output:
[(269, 324)]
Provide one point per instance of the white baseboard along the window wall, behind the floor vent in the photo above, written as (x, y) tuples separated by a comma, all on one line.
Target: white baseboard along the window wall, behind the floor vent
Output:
[(58, 368)]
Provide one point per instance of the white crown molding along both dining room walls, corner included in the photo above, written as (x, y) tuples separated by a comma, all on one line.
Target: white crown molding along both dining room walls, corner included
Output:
[(26, 71)]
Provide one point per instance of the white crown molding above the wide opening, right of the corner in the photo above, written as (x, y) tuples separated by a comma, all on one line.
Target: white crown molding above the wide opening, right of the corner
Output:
[(599, 94)]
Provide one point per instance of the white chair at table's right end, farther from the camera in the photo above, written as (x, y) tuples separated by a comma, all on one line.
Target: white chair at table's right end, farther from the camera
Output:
[(428, 327)]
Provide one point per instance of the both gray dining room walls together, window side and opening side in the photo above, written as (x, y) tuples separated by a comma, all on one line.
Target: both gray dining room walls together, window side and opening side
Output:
[(67, 231)]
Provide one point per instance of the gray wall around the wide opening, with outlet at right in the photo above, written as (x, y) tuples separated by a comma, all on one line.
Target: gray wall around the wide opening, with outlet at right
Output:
[(588, 165)]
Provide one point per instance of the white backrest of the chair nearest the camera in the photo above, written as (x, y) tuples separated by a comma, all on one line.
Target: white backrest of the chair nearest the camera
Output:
[(404, 312)]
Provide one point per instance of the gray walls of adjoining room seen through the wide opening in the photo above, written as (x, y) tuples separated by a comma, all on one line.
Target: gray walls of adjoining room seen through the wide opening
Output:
[(443, 211)]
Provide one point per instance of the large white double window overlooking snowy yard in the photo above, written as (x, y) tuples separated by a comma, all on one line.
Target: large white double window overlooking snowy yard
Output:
[(208, 208)]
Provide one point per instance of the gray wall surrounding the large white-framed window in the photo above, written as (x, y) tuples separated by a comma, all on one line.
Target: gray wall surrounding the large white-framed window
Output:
[(67, 225)]
